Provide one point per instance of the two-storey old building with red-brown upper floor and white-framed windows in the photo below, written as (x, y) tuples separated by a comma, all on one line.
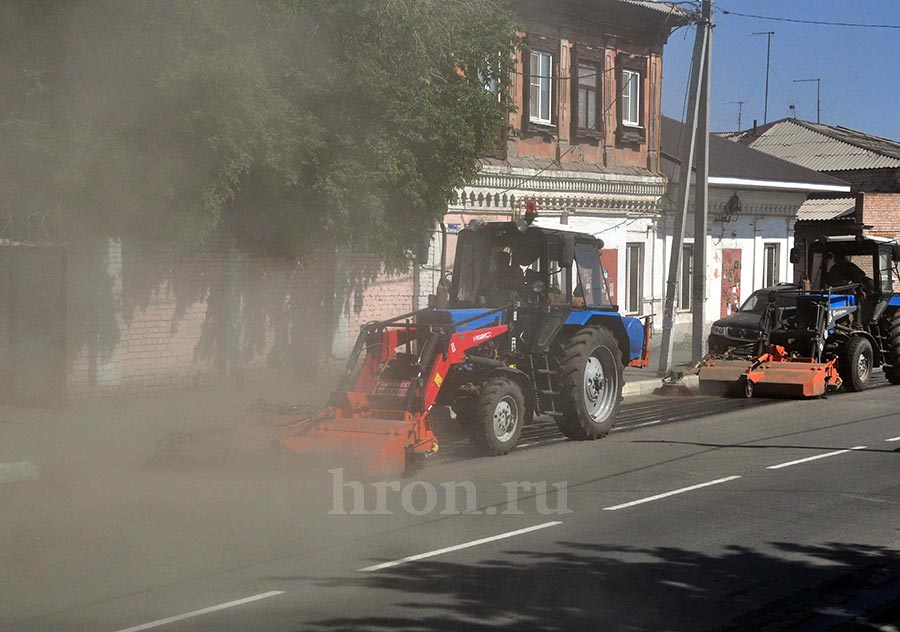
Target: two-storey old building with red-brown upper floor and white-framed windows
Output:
[(585, 136)]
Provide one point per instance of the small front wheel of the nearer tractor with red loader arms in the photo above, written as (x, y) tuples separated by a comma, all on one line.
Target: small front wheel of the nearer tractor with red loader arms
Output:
[(498, 417)]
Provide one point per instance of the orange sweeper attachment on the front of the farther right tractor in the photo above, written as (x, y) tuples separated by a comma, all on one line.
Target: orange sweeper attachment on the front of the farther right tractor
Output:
[(773, 374)]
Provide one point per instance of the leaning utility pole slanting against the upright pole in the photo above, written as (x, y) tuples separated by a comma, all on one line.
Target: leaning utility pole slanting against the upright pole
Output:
[(698, 73)]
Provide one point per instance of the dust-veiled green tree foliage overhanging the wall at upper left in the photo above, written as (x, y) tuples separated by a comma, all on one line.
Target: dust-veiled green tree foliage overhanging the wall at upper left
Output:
[(274, 125)]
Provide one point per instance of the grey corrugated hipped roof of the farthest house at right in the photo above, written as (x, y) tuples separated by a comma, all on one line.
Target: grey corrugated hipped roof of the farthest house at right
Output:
[(822, 147)]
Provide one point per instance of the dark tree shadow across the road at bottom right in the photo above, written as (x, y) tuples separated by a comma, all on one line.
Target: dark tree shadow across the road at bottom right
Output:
[(596, 587)]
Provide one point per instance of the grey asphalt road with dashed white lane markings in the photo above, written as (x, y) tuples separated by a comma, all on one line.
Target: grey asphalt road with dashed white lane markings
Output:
[(695, 514)]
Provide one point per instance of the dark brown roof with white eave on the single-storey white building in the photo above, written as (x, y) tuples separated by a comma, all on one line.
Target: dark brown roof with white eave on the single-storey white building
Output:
[(732, 163)]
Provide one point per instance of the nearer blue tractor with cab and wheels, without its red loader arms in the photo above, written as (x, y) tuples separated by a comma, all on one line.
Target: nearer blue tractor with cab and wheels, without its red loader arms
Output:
[(566, 345)]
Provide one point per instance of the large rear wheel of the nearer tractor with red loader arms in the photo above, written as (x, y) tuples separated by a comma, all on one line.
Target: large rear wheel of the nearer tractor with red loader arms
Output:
[(590, 378)]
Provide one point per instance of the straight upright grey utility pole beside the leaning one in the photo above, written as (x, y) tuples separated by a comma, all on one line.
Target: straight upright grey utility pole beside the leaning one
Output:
[(701, 196)]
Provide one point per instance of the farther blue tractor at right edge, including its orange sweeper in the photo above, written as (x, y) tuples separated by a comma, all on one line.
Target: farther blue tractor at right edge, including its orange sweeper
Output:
[(845, 324)]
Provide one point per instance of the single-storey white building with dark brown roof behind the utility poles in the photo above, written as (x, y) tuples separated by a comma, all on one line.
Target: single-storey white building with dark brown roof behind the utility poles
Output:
[(753, 204)]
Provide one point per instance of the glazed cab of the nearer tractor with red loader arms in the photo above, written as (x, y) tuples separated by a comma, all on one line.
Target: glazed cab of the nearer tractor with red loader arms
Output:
[(503, 263)]
